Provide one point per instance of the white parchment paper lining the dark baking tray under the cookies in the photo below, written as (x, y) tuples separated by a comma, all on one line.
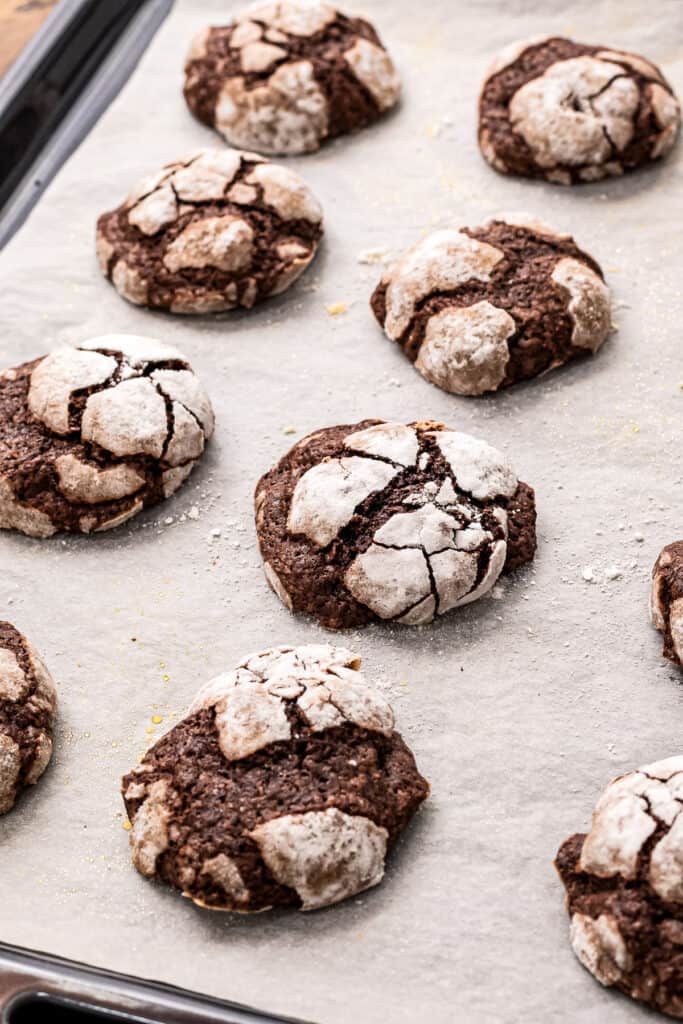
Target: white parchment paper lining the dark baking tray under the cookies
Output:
[(520, 708)]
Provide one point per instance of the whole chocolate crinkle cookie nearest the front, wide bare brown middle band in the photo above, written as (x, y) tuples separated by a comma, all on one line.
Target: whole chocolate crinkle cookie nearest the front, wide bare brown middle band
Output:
[(284, 786)]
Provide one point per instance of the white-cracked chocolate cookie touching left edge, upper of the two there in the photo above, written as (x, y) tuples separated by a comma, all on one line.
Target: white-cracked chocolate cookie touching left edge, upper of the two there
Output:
[(91, 436)]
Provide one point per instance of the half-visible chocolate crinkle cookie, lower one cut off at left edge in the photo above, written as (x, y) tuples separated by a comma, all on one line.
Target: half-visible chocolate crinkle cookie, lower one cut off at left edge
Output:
[(28, 705)]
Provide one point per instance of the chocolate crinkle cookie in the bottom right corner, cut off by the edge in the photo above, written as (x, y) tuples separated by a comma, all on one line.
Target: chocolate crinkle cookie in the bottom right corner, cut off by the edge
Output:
[(624, 885)]
